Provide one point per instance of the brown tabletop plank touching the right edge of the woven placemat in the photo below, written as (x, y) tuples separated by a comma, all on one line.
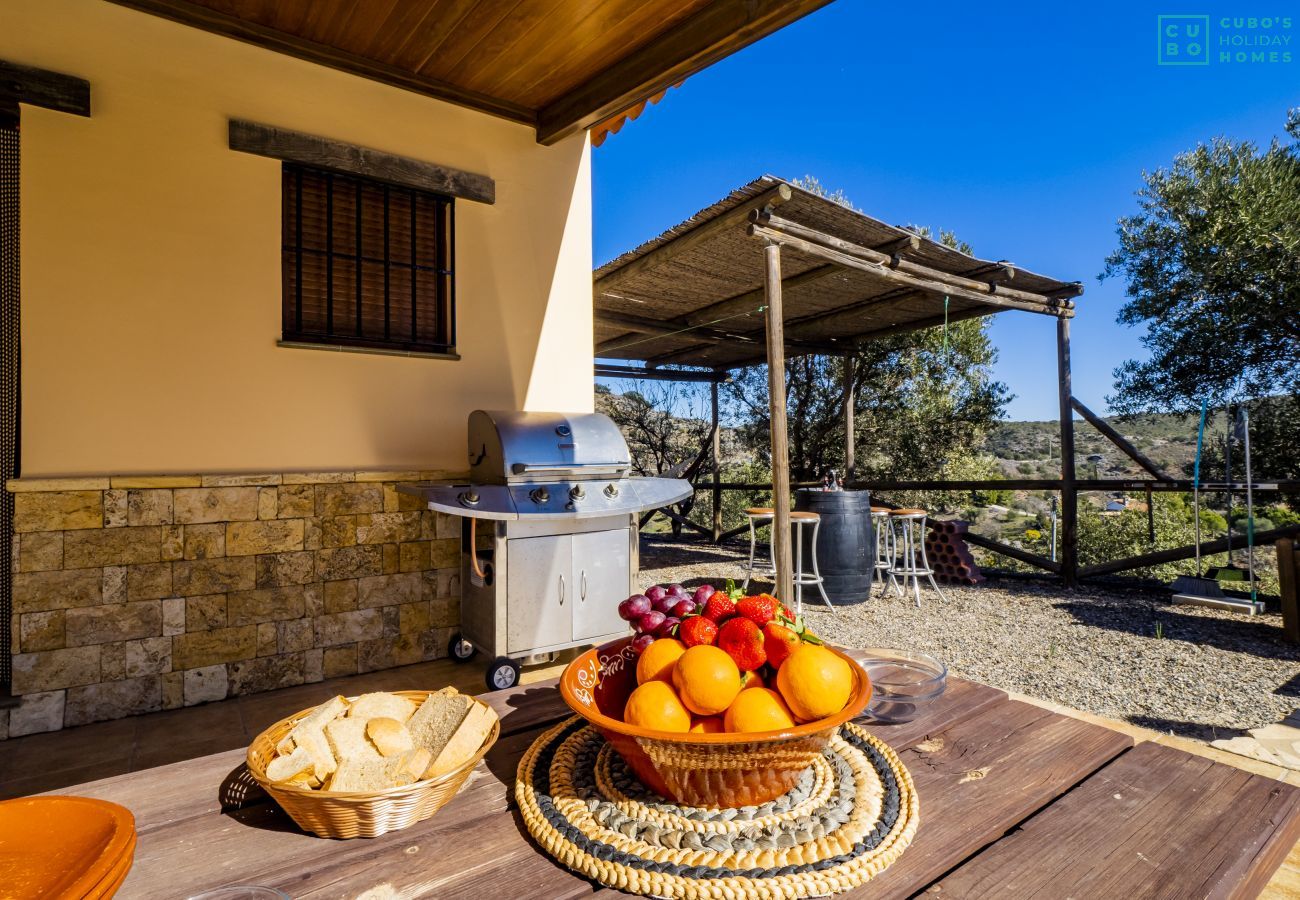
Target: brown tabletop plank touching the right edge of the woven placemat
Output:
[(985, 776)]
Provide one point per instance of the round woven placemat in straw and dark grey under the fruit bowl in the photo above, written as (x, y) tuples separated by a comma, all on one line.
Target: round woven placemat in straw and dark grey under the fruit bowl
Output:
[(852, 815)]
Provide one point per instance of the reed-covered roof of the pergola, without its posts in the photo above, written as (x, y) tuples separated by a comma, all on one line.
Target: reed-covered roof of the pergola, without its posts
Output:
[(695, 295)]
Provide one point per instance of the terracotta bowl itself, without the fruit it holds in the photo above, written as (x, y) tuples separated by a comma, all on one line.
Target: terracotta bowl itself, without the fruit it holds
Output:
[(718, 771)]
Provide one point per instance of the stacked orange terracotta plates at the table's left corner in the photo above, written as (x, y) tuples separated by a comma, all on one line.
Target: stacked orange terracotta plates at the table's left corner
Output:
[(63, 847)]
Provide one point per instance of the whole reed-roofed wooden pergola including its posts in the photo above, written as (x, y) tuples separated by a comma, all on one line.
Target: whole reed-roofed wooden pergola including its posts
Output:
[(774, 271)]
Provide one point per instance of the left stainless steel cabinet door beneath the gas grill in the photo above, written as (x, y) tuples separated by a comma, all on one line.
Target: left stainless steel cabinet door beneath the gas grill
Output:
[(540, 592)]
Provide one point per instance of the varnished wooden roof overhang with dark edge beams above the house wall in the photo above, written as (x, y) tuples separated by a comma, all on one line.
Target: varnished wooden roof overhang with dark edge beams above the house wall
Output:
[(558, 66)]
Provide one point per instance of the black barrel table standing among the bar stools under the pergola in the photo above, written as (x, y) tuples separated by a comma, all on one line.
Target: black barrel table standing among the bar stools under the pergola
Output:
[(846, 547)]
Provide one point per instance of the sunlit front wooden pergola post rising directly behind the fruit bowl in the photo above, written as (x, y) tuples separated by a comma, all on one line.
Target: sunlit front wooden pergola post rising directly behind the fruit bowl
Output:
[(782, 555)]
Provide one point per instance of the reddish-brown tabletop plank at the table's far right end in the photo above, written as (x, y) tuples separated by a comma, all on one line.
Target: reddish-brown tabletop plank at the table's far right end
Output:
[(1155, 823)]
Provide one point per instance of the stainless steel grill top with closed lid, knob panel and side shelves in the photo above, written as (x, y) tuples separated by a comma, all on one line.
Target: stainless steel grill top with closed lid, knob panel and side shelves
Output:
[(549, 465)]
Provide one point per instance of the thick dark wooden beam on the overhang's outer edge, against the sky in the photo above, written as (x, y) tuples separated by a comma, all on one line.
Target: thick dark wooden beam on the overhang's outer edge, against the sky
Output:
[(714, 33)]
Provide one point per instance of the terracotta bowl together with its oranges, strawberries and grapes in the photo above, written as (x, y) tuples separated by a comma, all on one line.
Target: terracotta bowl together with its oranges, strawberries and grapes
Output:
[(726, 708)]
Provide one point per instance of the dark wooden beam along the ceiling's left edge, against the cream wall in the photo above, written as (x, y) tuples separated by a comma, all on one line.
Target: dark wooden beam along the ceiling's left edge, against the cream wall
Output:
[(281, 42)]
